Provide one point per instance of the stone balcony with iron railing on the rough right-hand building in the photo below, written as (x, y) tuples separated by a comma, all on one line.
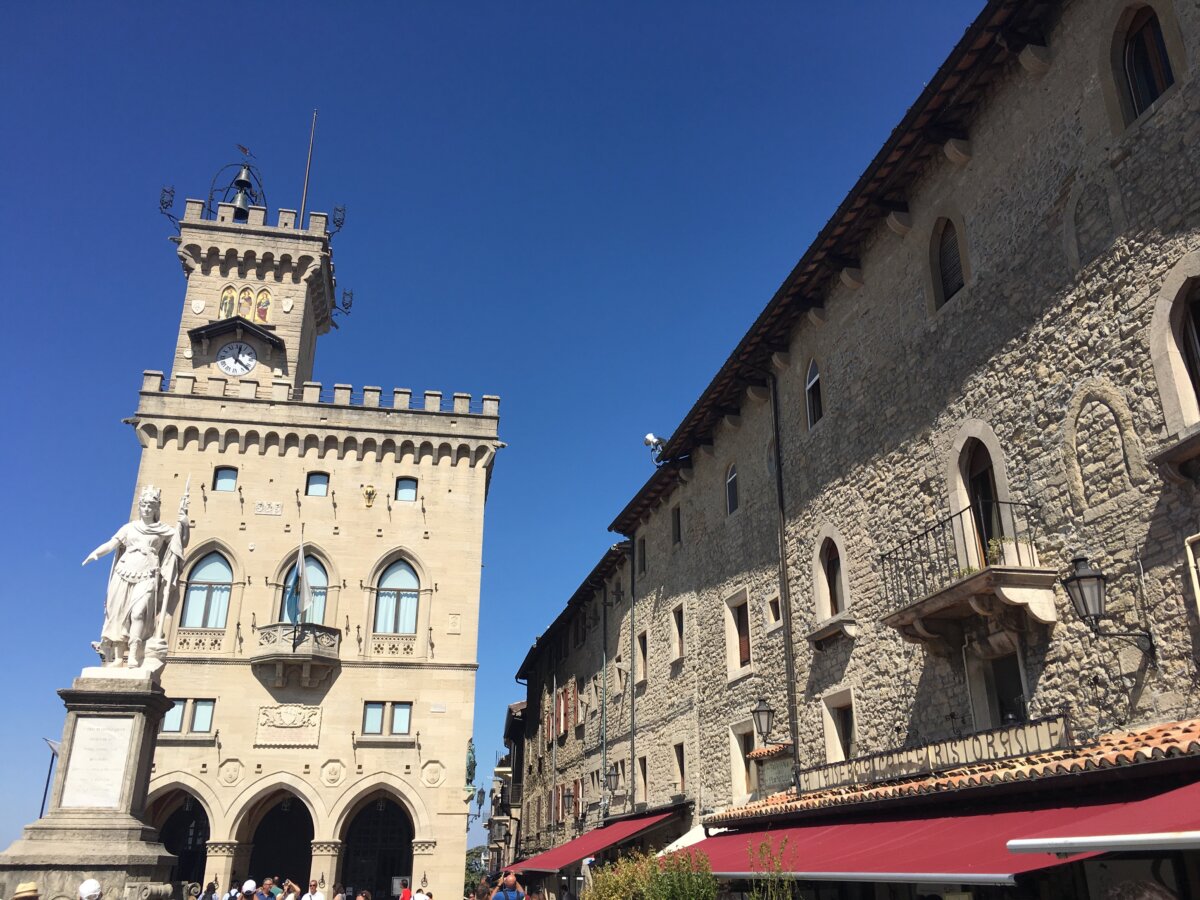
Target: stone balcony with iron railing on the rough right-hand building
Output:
[(981, 563)]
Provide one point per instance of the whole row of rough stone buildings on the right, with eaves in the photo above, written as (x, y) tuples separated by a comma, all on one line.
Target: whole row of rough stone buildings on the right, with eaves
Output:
[(986, 364)]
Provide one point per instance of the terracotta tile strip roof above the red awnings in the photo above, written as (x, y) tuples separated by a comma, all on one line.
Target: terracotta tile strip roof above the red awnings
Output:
[(1117, 749)]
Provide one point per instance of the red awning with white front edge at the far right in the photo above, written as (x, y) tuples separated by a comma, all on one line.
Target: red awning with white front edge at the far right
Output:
[(1166, 821)]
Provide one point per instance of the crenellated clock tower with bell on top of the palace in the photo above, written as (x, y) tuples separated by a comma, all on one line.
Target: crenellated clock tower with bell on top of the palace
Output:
[(259, 296)]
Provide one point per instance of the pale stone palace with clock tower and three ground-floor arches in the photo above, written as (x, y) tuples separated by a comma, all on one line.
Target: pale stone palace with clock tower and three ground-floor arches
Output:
[(327, 740)]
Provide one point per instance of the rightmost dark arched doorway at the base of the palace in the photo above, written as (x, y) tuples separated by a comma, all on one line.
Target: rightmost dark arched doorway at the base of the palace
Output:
[(379, 848)]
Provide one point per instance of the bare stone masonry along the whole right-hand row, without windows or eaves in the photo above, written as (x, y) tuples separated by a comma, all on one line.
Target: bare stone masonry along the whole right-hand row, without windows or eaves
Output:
[(1052, 357)]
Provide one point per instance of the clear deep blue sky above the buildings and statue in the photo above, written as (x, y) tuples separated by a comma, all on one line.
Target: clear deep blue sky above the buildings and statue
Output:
[(580, 207)]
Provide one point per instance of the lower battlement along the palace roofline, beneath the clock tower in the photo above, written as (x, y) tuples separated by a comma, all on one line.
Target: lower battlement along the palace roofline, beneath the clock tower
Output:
[(340, 395)]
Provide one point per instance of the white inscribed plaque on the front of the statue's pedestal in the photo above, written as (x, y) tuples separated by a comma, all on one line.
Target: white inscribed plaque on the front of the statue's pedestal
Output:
[(100, 752)]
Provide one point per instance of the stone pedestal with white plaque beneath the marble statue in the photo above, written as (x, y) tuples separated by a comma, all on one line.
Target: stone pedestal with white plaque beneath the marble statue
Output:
[(94, 827)]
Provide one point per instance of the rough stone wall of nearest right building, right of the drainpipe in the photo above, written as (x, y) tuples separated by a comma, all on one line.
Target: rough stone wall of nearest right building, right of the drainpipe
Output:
[(1028, 344)]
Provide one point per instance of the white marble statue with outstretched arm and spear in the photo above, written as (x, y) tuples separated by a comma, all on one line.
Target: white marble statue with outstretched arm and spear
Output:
[(142, 584)]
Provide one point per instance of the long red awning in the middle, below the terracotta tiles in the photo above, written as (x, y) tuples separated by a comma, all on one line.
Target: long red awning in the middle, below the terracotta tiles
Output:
[(968, 849)]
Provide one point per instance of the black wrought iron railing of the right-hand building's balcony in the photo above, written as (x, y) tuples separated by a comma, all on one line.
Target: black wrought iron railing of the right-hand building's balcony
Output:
[(987, 535)]
